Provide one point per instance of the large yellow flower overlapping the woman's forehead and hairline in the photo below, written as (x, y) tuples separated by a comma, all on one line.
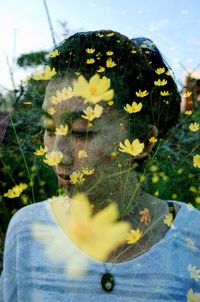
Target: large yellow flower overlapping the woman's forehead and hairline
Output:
[(95, 90)]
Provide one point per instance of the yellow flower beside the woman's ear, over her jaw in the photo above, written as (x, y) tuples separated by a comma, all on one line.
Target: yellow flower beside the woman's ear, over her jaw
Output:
[(134, 148)]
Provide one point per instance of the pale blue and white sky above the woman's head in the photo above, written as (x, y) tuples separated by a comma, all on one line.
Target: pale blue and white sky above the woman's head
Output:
[(173, 25)]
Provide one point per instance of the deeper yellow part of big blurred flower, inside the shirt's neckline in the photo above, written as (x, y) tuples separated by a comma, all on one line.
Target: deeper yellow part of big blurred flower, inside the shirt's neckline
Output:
[(97, 235)]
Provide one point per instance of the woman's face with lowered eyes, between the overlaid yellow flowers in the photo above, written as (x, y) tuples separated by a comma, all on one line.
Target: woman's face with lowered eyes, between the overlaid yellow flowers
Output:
[(98, 141)]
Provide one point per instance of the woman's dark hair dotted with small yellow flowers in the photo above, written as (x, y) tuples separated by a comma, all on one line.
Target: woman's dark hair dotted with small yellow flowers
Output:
[(137, 61)]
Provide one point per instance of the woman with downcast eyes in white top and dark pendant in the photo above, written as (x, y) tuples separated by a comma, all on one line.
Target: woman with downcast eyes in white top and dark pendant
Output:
[(109, 99)]
